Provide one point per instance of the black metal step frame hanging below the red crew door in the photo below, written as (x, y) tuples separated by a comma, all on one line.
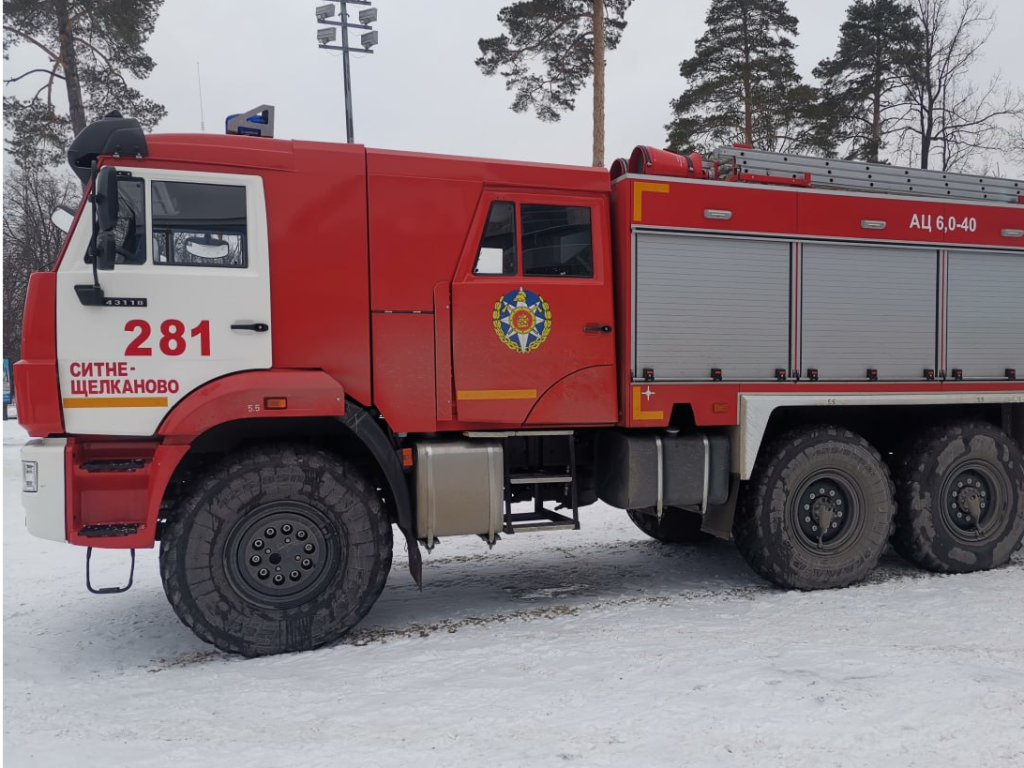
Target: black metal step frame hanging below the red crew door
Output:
[(542, 519)]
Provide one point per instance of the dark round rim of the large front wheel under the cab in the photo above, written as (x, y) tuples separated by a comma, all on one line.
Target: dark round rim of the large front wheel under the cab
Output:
[(282, 554)]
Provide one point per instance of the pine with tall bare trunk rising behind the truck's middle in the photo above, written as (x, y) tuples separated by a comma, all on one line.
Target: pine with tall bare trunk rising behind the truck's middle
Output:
[(551, 50)]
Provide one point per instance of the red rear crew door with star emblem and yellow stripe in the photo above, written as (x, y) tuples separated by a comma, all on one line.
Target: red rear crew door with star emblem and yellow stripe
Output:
[(533, 315)]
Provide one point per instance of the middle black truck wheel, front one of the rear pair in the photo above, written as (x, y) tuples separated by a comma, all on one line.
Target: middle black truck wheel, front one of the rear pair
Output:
[(779, 529)]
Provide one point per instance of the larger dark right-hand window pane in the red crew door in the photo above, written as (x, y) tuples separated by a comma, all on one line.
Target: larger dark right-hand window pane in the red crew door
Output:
[(558, 241)]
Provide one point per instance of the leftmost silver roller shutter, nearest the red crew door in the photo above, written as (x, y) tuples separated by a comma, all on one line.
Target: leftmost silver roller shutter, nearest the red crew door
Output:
[(711, 303)]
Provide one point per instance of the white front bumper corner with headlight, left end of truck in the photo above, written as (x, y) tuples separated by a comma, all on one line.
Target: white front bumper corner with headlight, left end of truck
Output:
[(45, 488)]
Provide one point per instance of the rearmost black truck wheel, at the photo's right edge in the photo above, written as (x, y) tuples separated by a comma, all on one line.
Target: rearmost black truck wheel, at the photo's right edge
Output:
[(946, 478)]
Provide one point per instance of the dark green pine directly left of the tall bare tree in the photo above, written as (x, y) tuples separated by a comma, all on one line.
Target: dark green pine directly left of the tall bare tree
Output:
[(861, 93)]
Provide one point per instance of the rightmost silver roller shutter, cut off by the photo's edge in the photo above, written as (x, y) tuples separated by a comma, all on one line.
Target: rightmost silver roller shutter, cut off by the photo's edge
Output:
[(986, 314)]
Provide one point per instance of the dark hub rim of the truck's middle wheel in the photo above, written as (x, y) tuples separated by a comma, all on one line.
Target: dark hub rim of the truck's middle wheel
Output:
[(828, 510)]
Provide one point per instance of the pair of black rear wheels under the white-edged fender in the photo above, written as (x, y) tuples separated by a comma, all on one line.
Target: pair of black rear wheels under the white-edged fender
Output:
[(822, 511)]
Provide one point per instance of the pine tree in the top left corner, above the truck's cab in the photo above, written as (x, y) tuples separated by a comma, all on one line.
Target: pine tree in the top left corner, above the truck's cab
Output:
[(93, 48)]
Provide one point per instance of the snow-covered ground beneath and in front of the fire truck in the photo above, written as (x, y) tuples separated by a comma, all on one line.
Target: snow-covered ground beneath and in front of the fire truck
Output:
[(598, 648)]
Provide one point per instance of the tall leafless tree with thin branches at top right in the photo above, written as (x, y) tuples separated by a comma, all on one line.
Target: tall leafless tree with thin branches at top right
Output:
[(951, 120)]
